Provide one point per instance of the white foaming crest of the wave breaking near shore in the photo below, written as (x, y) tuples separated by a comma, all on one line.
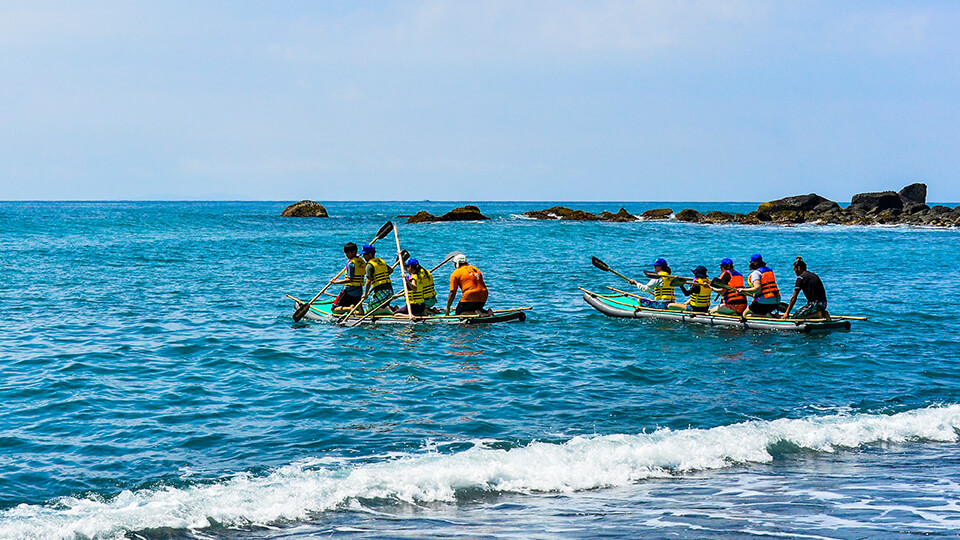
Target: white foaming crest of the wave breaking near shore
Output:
[(294, 492)]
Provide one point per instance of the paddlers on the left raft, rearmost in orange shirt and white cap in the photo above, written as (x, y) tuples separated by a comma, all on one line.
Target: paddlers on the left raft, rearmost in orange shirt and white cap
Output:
[(367, 278)]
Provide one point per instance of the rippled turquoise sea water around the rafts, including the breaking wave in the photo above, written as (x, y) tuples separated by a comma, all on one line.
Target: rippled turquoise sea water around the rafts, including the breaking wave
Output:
[(154, 385)]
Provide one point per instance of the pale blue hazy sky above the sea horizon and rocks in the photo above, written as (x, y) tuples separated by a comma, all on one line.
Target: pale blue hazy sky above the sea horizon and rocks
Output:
[(474, 101)]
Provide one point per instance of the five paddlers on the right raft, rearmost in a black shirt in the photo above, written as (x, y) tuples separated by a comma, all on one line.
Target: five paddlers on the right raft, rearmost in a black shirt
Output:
[(733, 290)]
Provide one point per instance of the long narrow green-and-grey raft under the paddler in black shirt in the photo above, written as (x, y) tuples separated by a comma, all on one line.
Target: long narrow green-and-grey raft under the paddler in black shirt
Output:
[(621, 305)]
